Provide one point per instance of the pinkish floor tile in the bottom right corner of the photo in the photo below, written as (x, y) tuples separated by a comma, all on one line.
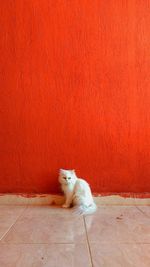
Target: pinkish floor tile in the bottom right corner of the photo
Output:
[(120, 255)]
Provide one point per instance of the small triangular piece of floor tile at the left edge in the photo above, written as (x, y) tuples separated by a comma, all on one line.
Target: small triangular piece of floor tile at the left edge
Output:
[(8, 216)]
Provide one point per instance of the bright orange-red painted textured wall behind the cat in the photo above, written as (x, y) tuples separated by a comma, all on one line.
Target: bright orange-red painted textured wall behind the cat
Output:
[(75, 93)]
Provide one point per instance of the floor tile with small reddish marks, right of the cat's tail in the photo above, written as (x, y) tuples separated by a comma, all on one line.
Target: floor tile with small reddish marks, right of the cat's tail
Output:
[(118, 224)]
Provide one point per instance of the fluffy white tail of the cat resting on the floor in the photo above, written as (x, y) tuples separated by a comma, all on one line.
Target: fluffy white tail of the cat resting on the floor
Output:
[(85, 210)]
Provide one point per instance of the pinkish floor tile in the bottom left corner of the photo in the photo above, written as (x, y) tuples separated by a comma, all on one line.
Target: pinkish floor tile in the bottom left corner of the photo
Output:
[(52, 255)]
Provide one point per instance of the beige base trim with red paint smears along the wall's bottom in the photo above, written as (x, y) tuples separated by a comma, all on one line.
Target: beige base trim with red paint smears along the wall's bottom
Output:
[(48, 199)]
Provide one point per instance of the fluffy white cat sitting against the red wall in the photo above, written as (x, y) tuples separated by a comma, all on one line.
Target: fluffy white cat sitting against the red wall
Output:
[(77, 192)]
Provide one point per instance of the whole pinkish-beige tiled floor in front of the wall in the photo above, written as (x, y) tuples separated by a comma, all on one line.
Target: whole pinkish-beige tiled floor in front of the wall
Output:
[(37, 236)]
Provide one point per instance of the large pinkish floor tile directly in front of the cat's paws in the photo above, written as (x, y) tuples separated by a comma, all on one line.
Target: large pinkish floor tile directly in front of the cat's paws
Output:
[(40, 225)]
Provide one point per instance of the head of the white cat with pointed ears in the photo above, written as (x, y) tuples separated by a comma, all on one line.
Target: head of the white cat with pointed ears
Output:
[(67, 176)]
